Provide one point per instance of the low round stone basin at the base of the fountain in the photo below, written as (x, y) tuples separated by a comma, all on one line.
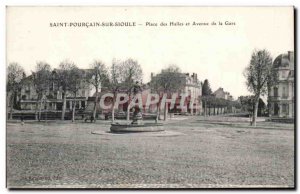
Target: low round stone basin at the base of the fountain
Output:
[(133, 128)]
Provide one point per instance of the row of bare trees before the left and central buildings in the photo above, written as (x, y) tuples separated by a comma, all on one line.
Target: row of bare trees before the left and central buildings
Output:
[(122, 76)]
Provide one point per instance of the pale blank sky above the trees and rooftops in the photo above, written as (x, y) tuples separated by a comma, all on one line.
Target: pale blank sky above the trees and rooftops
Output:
[(218, 53)]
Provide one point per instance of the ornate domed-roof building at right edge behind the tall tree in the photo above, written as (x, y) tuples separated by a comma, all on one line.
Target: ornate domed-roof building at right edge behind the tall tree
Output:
[(281, 97)]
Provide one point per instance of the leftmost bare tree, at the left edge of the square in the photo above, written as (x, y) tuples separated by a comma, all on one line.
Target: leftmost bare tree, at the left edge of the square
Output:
[(15, 73)]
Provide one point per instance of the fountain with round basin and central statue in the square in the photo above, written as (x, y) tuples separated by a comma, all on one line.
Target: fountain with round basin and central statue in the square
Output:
[(137, 125)]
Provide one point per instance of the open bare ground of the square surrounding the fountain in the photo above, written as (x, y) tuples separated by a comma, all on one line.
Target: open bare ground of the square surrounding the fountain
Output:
[(193, 152)]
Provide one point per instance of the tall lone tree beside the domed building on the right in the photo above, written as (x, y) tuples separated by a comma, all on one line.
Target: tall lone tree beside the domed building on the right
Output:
[(257, 74)]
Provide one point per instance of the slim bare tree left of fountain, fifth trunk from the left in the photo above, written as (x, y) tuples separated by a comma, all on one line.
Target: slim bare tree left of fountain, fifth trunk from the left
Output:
[(98, 77)]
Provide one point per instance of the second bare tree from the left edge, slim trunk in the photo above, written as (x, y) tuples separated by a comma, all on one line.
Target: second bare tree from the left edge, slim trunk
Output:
[(41, 82)]
